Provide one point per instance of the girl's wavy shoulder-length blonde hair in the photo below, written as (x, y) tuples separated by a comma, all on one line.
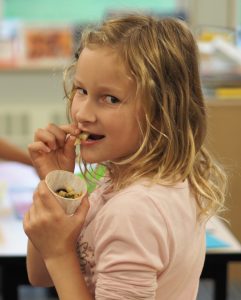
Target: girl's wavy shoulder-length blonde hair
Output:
[(162, 57)]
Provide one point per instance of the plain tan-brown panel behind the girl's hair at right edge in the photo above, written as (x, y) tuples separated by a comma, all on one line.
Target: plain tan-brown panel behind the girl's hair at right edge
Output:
[(224, 128)]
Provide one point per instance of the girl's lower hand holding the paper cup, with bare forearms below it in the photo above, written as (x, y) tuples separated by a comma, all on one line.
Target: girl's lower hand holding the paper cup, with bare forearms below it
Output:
[(52, 256)]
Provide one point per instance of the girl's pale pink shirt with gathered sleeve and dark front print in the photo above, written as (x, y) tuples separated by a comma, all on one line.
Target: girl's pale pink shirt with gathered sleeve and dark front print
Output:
[(143, 242)]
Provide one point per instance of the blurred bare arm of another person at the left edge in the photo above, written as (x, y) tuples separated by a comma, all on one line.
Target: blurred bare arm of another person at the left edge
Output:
[(12, 152)]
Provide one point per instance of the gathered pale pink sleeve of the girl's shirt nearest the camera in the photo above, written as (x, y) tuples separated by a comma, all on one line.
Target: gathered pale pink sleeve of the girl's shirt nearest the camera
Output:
[(131, 248)]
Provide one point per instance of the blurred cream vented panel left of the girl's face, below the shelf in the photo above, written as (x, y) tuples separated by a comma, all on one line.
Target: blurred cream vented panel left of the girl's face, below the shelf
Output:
[(30, 99)]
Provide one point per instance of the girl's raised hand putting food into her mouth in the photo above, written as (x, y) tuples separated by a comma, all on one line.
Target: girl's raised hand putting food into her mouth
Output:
[(53, 149)]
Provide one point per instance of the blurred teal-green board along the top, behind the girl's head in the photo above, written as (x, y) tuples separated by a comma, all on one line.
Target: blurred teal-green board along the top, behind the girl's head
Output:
[(78, 10)]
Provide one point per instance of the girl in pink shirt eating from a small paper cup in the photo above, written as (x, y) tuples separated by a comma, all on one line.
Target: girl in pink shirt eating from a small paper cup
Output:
[(141, 234)]
